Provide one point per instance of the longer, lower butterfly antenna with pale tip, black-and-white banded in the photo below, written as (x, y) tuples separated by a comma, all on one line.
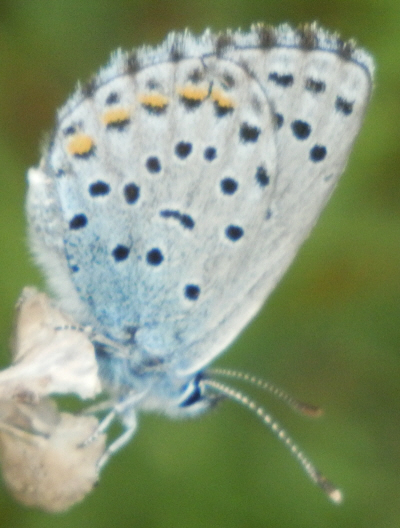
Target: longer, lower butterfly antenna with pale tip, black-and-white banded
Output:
[(333, 493)]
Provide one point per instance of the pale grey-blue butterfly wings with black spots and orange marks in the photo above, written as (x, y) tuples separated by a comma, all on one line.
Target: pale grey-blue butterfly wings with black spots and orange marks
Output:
[(181, 184)]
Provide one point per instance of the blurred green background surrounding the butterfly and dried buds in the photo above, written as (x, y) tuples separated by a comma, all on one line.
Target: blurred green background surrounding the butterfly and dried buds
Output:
[(330, 333)]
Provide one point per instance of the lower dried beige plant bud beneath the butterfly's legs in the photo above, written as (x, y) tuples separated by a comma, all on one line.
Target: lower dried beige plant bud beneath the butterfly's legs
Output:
[(44, 459)]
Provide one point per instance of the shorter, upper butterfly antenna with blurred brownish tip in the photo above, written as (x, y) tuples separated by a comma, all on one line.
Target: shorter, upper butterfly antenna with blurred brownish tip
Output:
[(301, 407)]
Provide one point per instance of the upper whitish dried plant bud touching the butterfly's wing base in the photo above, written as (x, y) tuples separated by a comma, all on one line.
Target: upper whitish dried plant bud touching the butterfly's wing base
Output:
[(51, 354)]
